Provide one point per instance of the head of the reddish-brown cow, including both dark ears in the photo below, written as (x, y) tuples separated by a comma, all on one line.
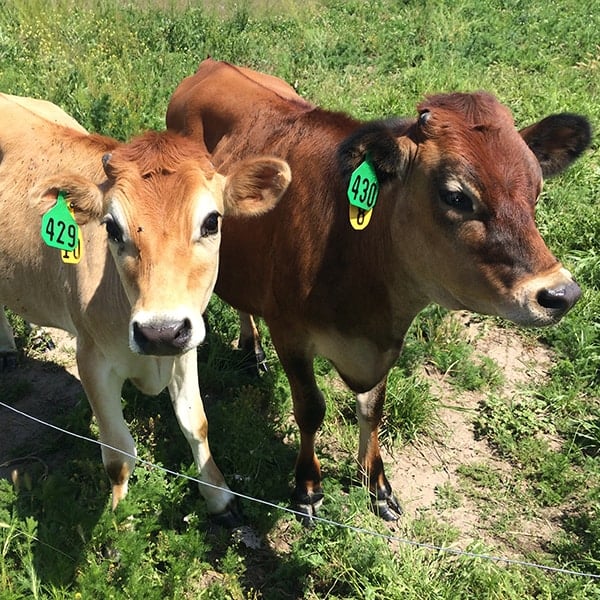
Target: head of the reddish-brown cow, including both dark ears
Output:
[(459, 187)]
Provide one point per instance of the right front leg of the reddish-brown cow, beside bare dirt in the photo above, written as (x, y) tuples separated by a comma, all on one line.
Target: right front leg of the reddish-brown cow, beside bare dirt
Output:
[(369, 410)]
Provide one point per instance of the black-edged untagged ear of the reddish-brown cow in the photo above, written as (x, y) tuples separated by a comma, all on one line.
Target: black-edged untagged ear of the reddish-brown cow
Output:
[(557, 141)]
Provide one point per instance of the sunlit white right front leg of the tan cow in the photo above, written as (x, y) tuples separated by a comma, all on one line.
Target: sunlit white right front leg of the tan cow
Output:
[(189, 409)]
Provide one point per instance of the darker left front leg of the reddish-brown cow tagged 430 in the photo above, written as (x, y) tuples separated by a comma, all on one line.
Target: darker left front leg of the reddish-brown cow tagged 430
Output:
[(309, 412)]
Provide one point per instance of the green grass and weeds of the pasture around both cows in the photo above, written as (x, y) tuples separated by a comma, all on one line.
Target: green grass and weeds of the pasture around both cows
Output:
[(113, 66)]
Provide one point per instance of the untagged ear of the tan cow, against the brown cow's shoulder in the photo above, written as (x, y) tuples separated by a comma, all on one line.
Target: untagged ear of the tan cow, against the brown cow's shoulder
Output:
[(255, 185)]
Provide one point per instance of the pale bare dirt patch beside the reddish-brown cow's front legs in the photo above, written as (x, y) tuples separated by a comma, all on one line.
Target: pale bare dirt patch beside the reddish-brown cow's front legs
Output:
[(425, 473)]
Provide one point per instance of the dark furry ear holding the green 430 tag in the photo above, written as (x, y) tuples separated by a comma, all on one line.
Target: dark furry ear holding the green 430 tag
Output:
[(376, 141)]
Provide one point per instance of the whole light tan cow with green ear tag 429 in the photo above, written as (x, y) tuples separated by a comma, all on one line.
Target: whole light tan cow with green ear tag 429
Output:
[(150, 224)]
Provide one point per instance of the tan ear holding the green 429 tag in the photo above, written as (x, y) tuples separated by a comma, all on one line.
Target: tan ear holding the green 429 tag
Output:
[(83, 195)]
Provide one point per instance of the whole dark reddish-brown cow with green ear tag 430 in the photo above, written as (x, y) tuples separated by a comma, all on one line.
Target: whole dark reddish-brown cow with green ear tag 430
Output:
[(453, 223)]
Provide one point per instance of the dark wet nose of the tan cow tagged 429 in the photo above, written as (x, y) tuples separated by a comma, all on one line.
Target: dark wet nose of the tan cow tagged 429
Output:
[(162, 338)]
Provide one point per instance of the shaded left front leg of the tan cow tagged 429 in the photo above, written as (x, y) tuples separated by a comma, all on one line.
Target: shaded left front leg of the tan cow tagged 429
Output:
[(103, 386)]
